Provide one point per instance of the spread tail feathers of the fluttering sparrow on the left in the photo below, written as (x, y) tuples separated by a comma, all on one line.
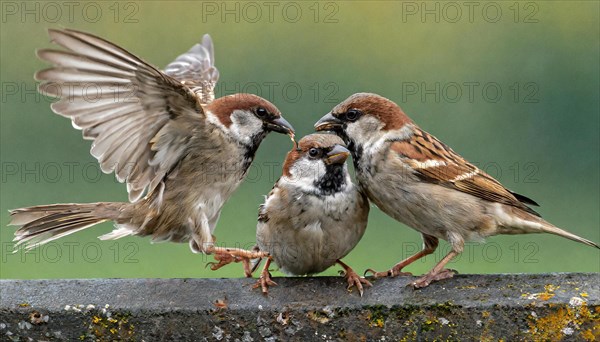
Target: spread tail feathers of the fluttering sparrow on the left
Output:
[(45, 223)]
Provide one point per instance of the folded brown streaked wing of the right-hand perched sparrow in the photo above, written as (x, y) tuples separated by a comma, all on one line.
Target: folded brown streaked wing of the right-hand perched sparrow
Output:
[(437, 163)]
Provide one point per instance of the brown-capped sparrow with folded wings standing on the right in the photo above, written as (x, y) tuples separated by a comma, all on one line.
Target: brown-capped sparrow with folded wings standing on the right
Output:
[(418, 180)]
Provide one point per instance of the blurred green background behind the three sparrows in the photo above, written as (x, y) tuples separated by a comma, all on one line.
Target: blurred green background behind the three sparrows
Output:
[(444, 63)]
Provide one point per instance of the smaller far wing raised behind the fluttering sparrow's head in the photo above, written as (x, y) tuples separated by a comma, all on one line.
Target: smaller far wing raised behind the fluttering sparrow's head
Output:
[(196, 69)]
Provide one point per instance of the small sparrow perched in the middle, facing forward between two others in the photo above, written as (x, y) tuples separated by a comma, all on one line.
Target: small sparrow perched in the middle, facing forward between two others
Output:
[(314, 215)]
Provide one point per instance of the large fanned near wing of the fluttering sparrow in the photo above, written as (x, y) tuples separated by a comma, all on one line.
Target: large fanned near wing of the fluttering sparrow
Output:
[(139, 118)]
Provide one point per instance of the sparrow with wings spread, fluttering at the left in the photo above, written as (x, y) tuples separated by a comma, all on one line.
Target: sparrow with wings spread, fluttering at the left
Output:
[(181, 152)]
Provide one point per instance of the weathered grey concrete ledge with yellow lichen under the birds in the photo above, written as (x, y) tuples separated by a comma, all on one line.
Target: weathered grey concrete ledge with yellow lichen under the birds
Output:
[(468, 307)]
